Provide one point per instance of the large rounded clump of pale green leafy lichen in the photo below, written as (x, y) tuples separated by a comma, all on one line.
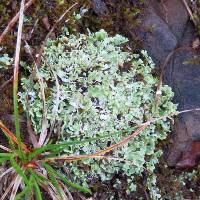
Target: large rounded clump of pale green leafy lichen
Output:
[(95, 86)]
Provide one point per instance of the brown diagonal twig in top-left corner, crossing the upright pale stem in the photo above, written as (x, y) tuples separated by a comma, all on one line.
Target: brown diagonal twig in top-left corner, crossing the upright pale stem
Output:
[(14, 20)]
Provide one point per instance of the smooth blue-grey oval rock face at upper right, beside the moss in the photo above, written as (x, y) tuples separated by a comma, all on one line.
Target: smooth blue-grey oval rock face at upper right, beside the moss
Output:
[(157, 37)]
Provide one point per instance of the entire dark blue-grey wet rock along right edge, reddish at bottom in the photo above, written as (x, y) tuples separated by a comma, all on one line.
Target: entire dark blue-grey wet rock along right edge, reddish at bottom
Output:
[(166, 28)]
